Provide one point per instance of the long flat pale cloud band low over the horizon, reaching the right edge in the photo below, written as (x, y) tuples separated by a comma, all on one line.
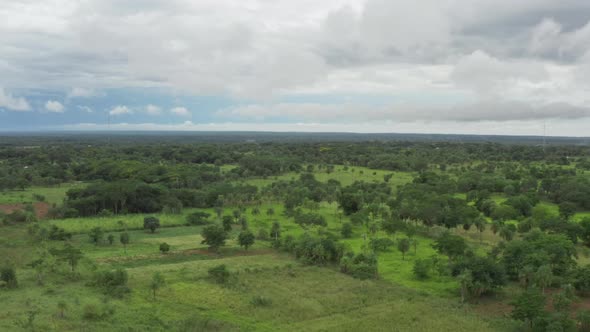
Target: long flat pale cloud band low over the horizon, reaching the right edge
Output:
[(487, 110)]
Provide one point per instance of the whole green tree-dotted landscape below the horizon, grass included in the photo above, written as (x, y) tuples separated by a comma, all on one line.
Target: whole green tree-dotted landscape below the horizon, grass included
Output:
[(231, 233)]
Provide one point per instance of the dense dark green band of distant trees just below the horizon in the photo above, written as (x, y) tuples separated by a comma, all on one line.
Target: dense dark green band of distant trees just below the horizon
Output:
[(49, 164)]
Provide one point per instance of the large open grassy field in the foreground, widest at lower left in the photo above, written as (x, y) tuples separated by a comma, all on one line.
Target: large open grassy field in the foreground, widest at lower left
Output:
[(300, 297)]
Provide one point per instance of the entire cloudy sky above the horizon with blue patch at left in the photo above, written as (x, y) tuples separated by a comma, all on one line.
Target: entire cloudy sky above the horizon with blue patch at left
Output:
[(424, 66)]
